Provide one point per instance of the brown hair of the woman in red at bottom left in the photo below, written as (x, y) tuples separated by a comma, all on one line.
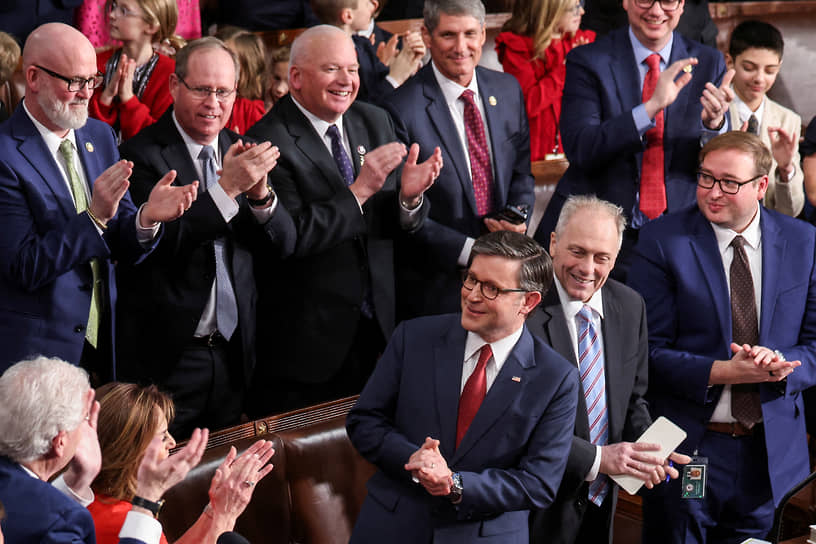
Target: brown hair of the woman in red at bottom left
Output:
[(127, 424)]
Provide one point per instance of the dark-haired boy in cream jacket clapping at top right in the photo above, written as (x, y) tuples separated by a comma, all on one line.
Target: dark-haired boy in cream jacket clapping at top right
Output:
[(755, 55)]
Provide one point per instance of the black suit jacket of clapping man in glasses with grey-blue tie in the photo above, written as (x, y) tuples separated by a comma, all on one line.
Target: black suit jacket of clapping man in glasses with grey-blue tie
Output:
[(164, 297)]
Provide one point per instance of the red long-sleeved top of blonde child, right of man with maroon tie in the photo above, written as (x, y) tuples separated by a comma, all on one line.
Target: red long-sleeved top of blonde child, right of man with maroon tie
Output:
[(542, 82)]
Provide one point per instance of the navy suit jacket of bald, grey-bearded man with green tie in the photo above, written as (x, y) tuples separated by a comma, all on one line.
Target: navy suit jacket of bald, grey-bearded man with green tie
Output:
[(46, 247)]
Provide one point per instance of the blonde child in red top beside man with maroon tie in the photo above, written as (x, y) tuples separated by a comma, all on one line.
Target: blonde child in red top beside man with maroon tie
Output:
[(532, 46)]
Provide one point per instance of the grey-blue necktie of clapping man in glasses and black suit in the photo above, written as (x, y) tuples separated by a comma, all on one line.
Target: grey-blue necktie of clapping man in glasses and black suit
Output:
[(226, 307)]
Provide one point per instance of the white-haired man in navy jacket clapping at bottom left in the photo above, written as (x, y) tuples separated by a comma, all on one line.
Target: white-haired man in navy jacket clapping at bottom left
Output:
[(47, 422)]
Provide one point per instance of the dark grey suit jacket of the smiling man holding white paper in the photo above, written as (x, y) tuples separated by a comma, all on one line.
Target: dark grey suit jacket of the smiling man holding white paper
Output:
[(626, 372)]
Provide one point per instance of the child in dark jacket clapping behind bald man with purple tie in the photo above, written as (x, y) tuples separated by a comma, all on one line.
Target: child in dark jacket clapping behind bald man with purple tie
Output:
[(377, 80)]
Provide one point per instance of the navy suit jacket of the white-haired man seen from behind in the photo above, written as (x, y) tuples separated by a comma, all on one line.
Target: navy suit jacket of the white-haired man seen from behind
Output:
[(38, 512)]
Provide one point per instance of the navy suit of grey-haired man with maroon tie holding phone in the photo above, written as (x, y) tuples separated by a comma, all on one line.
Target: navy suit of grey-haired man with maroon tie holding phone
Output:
[(427, 272)]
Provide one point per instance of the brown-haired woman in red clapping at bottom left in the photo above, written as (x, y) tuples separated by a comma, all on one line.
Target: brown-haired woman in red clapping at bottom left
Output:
[(130, 417)]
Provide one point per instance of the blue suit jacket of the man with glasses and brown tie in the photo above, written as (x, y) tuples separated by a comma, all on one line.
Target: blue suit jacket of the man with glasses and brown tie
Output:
[(679, 272)]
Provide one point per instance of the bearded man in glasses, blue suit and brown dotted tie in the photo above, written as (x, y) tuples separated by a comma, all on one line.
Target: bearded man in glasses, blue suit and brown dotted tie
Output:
[(730, 291)]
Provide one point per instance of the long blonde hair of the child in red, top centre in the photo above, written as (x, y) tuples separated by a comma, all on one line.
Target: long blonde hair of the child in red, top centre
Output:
[(537, 19)]
